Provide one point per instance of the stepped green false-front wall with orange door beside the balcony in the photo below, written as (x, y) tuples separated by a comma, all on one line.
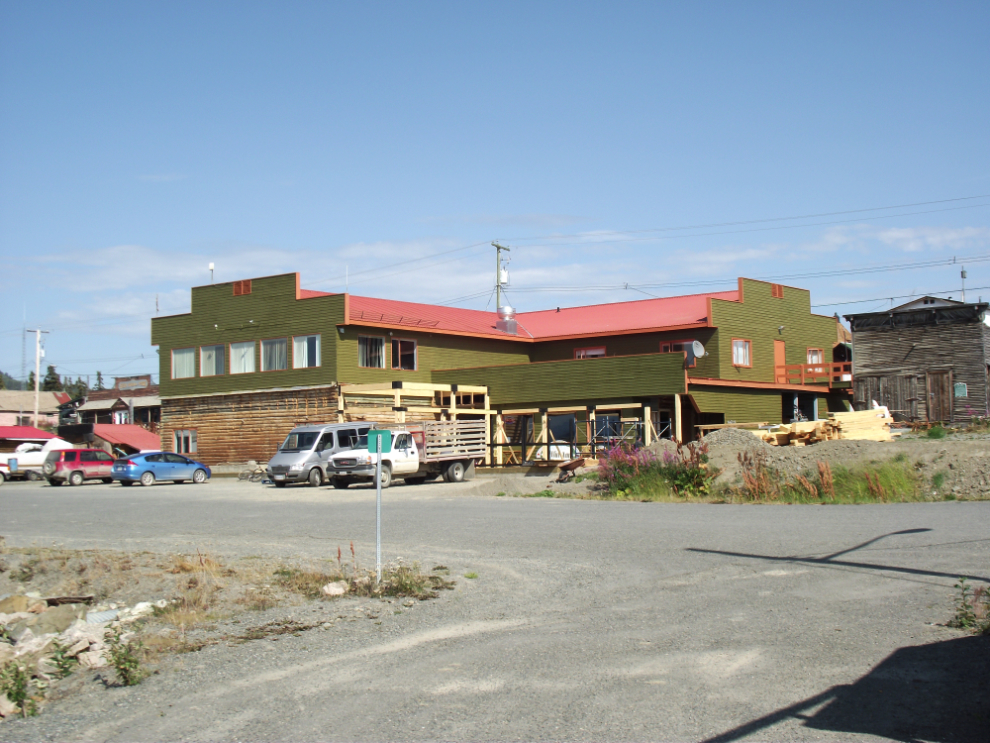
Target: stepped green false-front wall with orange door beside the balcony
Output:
[(757, 319)]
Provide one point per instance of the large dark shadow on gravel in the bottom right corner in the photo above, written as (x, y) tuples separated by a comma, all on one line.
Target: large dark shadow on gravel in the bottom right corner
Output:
[(938, 693)]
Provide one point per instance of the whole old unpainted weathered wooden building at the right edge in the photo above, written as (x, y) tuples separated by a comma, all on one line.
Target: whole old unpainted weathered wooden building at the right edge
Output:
[(926, 360)]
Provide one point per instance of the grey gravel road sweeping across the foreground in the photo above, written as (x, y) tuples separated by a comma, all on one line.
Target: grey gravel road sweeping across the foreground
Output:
[(588, 620)]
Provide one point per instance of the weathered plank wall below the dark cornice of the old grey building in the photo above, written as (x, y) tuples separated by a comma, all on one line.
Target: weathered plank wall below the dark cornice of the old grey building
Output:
[(910, 369)]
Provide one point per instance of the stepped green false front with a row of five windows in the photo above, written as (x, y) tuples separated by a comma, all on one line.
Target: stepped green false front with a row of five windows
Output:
[(219, 317)]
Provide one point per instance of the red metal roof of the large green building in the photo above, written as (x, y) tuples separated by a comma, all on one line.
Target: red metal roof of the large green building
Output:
[(602, 319)]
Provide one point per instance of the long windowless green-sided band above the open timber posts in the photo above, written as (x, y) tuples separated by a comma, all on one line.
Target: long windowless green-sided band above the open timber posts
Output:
[(585, 379)]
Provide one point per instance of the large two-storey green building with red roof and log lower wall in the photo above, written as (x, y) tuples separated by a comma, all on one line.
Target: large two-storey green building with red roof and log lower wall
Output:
[(255, 357)]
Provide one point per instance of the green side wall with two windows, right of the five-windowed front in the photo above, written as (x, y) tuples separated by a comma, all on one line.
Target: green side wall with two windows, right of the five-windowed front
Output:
[(433, 351)]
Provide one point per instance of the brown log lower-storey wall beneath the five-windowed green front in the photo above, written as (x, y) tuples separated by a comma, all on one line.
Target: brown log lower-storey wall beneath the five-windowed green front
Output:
[(243, 426)]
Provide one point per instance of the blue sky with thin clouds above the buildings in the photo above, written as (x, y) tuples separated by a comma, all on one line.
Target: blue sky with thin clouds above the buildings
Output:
[(141, 141)]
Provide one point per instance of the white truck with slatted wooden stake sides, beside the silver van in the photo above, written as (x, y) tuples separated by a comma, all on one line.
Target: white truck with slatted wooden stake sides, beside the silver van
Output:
[(420, 452)]
